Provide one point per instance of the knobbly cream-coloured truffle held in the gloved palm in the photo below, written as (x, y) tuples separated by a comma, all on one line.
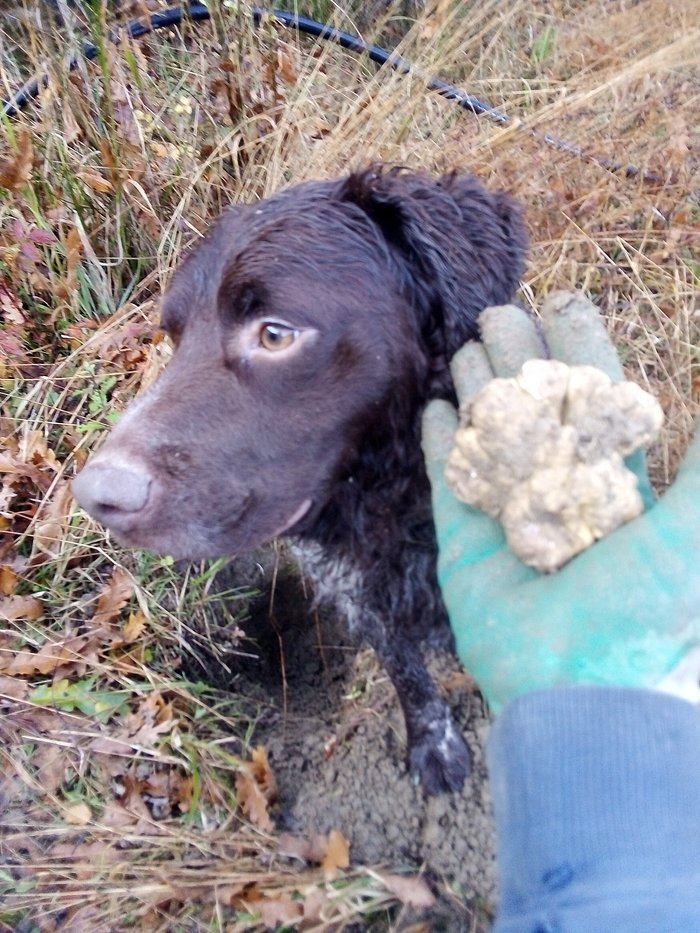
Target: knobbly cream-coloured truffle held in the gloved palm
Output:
[(543, 453)]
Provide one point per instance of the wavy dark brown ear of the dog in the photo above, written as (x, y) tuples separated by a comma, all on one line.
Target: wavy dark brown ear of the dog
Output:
[(461, 247)]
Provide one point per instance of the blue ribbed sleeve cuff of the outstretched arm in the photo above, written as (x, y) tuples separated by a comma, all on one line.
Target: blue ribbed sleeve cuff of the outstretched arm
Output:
[(596, 794)]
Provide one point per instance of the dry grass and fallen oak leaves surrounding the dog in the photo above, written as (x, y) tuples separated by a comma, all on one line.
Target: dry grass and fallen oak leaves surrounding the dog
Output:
[(124, 162)]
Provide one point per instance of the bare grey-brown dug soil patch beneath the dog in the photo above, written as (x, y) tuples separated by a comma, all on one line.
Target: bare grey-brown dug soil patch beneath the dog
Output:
[(334, 732)]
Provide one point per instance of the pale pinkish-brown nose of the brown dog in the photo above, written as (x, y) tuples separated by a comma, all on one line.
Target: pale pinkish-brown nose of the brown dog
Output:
[(112, 493)]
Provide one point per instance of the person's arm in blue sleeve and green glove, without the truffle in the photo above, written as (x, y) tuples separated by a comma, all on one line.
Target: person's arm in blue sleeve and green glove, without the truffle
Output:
[(596, 789)]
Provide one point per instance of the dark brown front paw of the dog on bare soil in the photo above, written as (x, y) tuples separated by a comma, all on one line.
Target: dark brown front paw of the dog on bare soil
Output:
[(439, 759)]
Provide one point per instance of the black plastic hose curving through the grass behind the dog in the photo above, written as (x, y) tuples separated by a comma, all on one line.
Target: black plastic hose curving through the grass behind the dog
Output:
[(198, 11)]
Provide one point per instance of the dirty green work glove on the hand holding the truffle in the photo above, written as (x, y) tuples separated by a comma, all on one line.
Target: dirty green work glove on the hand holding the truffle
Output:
[(626, 612)]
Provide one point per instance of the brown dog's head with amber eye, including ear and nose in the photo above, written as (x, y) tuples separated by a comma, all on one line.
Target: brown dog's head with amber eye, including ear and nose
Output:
[(307, 328)]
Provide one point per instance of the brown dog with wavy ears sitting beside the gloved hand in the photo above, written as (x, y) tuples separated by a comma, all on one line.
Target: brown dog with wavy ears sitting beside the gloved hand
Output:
[(310, 330)]
